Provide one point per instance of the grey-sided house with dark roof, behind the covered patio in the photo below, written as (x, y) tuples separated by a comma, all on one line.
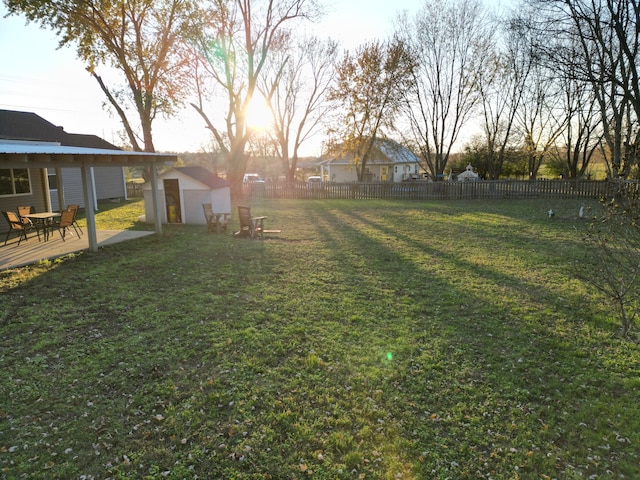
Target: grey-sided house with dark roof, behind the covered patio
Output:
[(108, 182)]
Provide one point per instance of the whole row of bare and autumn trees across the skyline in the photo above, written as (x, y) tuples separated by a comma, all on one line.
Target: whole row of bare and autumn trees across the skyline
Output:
[(554, 80)]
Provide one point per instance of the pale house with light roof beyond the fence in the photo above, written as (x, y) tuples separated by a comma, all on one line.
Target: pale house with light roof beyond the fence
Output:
[(388, 162)]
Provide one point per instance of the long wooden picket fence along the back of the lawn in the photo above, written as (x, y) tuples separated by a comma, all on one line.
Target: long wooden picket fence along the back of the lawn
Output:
[(498, 189)]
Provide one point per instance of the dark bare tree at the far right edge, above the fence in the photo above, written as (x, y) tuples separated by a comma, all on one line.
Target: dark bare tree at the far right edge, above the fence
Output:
[(598, 42)]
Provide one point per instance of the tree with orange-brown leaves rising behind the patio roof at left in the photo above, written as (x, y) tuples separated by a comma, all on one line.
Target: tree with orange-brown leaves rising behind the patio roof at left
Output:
[(139, 38)]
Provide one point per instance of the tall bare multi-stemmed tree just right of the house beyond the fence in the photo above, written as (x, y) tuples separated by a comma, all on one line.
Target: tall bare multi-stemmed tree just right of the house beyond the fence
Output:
[(451, 41)]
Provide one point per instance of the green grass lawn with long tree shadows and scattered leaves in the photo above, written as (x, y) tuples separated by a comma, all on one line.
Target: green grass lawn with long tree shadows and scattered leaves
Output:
[(370, 339)]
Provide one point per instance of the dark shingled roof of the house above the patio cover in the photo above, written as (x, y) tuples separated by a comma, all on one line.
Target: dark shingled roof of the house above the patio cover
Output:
[(27, 126)]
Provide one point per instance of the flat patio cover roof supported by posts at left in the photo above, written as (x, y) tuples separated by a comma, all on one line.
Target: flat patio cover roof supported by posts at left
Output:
[(51, 155)]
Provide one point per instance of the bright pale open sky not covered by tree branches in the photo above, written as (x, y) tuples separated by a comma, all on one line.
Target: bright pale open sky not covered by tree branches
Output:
[(36, 76)]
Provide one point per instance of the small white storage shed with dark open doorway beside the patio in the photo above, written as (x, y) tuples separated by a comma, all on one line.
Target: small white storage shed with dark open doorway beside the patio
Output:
[(183, 190)]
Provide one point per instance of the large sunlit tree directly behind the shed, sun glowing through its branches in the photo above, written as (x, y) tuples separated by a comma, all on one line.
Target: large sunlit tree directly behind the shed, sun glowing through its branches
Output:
[(236, 43)]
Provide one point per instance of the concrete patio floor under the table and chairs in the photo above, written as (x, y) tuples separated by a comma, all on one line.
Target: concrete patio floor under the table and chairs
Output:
[(31, 251)]
